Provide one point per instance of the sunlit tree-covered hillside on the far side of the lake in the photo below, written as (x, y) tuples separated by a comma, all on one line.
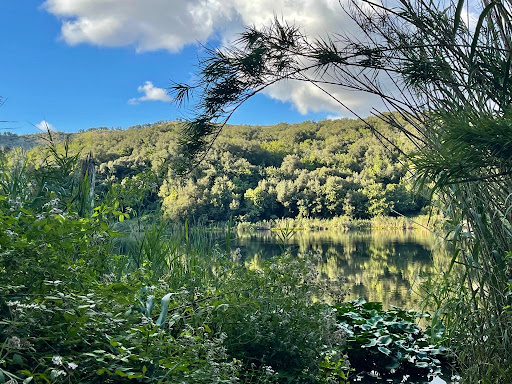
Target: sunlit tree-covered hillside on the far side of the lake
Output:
[(313, 169)]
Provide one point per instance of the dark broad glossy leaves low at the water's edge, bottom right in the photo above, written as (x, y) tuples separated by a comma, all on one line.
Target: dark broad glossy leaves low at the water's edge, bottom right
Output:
[(388, 344)]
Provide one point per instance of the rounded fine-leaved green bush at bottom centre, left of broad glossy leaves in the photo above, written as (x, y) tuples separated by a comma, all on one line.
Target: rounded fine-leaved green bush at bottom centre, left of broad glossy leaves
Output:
[(274, 322)]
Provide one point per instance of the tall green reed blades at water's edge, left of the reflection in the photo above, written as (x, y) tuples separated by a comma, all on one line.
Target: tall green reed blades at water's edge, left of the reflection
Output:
[(185, 254)]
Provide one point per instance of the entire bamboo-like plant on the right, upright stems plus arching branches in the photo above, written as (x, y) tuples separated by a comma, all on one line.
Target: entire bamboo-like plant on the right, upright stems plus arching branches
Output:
[(448, 80)]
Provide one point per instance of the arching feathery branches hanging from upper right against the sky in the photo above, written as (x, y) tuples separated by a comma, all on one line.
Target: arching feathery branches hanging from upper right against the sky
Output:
[(427, 55)]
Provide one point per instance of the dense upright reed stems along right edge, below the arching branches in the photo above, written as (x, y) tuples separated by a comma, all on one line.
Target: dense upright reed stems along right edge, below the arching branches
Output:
[(473, 178)]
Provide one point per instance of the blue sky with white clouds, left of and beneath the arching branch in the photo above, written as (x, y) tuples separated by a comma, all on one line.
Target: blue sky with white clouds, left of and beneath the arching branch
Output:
[(78, 64)]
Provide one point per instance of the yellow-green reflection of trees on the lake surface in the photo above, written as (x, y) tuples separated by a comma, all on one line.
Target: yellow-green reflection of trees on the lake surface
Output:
[(381, 266)]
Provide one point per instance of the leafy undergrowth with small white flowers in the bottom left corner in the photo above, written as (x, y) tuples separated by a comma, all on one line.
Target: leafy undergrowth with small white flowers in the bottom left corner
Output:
[(100, 335)]
